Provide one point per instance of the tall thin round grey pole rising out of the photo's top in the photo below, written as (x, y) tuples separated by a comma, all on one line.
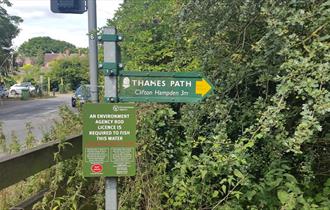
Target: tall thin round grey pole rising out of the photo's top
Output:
[(92, 32)]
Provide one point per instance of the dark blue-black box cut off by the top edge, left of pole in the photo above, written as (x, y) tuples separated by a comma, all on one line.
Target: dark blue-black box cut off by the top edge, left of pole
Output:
[(68, 6)]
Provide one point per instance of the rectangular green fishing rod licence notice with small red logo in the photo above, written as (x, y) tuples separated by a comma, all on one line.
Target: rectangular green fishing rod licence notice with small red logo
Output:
[(109, 140)]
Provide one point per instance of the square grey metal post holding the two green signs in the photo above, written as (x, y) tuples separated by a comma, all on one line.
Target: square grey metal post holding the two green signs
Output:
[(110, 92)]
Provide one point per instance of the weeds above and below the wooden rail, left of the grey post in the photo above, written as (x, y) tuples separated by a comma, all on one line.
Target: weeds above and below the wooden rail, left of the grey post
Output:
[(66, 185)]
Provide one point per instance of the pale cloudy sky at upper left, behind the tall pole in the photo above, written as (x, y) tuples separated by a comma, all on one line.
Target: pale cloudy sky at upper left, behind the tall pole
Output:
[(40, 21)]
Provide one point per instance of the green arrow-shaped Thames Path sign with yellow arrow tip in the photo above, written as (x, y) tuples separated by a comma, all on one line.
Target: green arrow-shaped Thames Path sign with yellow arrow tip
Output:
[(162, 87)]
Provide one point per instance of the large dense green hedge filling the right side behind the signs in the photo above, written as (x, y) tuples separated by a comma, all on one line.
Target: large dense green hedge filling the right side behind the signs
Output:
[(262, 140)]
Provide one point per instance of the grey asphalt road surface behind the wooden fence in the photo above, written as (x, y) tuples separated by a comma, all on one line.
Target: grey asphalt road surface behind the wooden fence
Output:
[(14, 114)]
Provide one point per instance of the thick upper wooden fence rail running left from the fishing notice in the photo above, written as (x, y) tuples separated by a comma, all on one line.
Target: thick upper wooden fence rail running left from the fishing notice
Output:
[(16, 167)]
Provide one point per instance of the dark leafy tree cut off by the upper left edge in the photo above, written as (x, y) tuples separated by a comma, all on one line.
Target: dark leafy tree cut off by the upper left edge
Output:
[(8, 31)]
